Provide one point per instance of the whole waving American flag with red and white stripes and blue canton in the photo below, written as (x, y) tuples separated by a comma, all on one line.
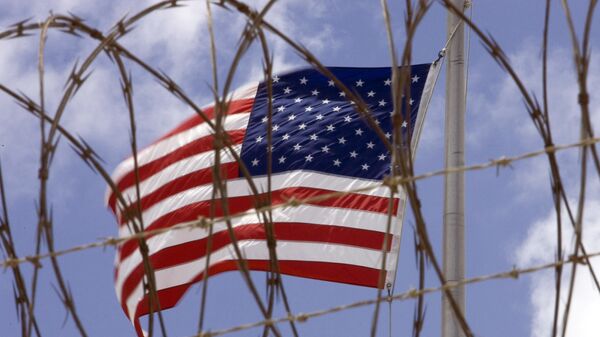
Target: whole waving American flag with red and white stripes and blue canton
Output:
[(320, 144)]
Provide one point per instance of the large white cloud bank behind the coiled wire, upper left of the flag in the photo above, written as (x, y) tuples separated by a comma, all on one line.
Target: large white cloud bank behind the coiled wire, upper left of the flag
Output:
[(172, 40)]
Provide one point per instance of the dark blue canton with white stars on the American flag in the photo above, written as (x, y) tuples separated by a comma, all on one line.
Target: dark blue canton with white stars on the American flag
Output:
[(315, 127)]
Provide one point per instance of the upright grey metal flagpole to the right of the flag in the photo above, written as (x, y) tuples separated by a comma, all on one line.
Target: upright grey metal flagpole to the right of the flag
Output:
[(454, 220)]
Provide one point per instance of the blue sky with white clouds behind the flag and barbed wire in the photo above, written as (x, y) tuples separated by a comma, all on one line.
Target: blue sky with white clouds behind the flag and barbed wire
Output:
[(510, 219)]
